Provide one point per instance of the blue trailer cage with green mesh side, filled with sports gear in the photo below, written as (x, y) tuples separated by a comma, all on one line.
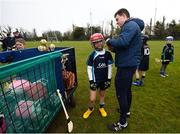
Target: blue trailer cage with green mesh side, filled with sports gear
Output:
[(28, 99)]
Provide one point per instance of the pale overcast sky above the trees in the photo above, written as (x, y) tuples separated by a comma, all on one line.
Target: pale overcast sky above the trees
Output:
[(59, 15)]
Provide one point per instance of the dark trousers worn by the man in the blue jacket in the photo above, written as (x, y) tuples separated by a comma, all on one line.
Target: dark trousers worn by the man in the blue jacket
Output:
[(123, 82)]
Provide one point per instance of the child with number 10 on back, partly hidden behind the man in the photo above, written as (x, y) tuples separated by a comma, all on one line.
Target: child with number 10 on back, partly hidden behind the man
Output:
[(144, 64)]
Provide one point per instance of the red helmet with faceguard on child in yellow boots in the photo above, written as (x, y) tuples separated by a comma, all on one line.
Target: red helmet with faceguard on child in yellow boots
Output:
[(97, 41)]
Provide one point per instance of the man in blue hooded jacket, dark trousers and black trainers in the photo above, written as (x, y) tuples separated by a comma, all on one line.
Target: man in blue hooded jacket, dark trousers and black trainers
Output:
[(127, 49)]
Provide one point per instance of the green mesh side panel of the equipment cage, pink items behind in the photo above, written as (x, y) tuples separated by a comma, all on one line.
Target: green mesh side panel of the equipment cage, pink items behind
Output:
[(28, 99)]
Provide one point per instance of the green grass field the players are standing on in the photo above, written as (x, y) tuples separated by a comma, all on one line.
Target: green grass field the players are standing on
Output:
[(155, 106)]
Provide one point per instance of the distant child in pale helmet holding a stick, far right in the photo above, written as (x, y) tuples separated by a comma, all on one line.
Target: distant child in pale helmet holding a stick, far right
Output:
[(167, 55)]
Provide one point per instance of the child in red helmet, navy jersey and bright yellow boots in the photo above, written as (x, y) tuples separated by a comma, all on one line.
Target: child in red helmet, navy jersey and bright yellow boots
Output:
[(99, 69)]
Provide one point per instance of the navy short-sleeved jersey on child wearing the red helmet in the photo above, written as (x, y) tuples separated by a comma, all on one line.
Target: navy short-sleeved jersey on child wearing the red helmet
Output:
[(99, 61)]
